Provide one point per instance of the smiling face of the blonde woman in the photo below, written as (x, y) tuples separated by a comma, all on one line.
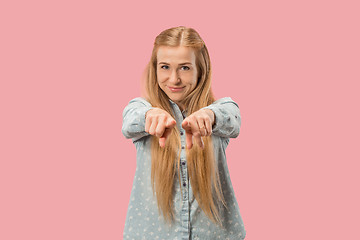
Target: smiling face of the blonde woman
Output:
[(176, 72)]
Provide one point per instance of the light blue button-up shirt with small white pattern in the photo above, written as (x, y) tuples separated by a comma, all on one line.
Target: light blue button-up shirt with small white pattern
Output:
[(143, 220)]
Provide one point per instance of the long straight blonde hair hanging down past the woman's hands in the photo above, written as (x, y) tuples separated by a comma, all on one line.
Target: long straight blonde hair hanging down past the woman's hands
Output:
[(202, 169)]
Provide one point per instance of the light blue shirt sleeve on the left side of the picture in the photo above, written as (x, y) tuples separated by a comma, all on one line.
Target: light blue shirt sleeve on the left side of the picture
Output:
[(133, 125)]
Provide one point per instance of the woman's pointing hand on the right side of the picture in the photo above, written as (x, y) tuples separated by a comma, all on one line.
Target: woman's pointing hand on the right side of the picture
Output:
[(197, 125)]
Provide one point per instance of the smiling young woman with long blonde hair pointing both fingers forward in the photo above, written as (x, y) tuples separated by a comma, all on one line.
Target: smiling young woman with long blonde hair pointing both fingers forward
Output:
[(182, 188)]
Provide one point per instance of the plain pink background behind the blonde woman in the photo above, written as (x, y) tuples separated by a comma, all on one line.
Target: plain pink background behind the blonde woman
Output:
[(68, 68)]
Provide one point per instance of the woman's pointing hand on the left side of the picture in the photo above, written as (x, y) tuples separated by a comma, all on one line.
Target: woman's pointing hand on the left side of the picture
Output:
[(159, 123)]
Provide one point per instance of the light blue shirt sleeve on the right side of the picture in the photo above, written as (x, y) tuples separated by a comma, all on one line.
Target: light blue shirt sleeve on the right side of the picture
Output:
[(227, 117)]
